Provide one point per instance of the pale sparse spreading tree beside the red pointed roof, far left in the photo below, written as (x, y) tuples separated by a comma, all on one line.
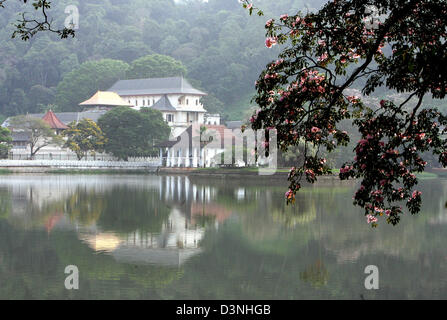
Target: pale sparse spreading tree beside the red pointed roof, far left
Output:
[(40, 133)]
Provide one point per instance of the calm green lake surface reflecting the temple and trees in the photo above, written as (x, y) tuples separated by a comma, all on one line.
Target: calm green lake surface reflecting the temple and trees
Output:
[(150, 237)]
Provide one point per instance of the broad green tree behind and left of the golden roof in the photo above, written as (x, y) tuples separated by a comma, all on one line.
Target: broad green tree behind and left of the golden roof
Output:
[(91, 76)]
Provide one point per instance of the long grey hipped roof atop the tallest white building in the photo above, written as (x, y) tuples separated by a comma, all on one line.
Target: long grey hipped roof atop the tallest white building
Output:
[(154, 86)]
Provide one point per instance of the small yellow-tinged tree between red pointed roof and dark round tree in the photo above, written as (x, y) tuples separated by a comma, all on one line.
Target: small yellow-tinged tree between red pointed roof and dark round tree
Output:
[(83, 137)]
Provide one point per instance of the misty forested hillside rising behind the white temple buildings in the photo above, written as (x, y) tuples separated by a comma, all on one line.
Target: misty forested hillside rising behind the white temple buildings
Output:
[(221, 48)]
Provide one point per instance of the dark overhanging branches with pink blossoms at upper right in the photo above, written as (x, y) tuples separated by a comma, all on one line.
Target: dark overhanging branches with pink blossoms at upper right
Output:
[(303, 94)]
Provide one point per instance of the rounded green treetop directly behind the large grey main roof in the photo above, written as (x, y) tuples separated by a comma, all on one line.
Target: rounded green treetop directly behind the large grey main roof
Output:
[(155, 66)]
